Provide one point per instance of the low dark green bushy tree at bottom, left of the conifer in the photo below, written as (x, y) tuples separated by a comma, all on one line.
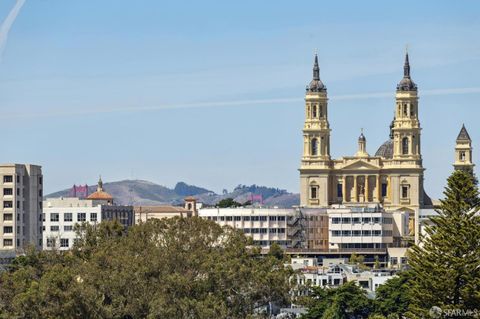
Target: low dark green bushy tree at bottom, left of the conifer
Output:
[(344, 302)]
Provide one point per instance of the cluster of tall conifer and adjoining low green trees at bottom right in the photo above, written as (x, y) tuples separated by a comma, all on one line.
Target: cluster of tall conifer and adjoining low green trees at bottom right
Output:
[(444, 270)]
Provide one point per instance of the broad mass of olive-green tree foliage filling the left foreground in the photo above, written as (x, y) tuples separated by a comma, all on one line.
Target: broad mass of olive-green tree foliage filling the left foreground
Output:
[(170, 268)]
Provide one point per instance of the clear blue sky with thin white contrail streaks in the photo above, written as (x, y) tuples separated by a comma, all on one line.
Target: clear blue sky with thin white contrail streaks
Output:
[(211, 93)]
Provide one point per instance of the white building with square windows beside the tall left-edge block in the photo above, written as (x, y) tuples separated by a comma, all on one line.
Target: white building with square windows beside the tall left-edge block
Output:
[(61, 215)]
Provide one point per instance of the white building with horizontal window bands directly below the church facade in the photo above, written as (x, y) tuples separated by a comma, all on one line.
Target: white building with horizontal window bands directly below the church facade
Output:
[(360, 228)]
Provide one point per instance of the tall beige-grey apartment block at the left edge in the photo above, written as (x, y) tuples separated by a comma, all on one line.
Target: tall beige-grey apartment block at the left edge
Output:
[(21, 198)]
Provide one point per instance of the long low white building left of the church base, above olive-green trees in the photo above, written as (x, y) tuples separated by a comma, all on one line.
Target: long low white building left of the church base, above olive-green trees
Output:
[(264, 225)]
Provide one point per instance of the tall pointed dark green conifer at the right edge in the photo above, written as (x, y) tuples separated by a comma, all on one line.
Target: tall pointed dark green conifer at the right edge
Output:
[(445, 265)]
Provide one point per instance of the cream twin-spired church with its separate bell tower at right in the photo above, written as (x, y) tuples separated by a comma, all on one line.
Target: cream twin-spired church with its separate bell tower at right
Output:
[(392, 177)]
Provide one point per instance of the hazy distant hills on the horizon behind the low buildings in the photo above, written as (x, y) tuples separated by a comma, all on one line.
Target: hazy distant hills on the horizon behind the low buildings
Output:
[(139, 192)]
